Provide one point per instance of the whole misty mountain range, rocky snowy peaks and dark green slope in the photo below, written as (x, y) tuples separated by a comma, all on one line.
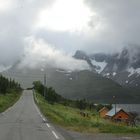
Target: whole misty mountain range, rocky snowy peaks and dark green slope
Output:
[(108, 75)]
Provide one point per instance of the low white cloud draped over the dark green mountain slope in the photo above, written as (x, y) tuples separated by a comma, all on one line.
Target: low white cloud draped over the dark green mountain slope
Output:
[(39, 53)]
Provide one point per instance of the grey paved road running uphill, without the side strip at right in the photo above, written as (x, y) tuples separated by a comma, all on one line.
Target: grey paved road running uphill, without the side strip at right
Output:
[(23, 121)]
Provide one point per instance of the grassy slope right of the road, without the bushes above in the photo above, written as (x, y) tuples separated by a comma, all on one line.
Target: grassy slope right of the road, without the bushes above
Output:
[(70, 118)]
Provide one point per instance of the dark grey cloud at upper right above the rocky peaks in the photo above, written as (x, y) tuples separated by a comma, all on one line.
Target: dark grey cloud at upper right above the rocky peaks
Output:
[(120, 21)]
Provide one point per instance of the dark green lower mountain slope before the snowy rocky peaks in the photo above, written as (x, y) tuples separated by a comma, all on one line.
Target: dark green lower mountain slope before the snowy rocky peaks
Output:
[(76, 84)]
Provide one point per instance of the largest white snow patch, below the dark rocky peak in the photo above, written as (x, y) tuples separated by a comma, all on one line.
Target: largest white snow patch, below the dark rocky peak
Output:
[(99, 65)]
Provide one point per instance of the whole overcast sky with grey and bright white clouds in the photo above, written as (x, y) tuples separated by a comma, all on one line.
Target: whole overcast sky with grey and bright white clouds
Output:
[(32, 27)]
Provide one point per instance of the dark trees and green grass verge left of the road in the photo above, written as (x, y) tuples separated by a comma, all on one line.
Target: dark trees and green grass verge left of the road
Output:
[(9, 93)]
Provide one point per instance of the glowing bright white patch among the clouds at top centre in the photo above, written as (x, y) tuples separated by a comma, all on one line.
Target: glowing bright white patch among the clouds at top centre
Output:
[(65, 15)]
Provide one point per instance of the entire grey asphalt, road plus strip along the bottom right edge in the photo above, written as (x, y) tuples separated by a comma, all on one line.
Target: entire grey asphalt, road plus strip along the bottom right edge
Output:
[(23, 121)]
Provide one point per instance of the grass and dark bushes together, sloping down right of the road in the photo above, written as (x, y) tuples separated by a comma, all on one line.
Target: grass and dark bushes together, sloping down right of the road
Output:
[(76, 115)]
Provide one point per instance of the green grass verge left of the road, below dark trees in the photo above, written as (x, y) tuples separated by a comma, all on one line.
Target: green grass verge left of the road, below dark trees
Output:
[(8, 100)]
